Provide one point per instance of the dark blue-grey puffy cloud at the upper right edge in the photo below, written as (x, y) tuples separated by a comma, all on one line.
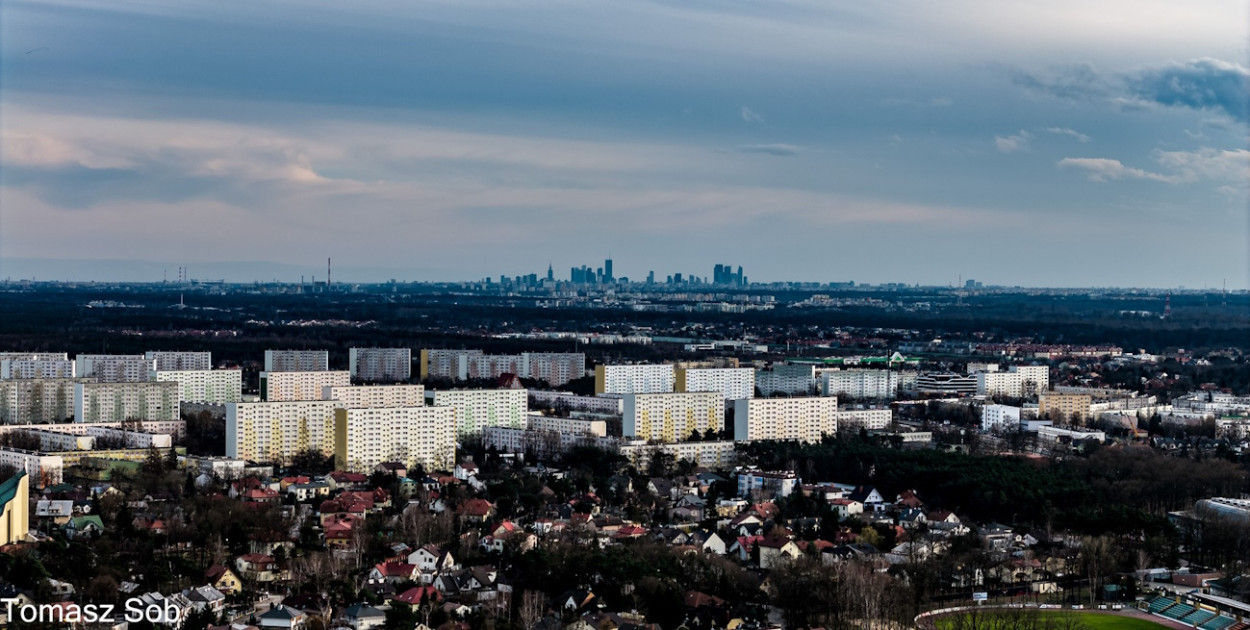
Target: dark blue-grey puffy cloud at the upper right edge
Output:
[(1202, 84)]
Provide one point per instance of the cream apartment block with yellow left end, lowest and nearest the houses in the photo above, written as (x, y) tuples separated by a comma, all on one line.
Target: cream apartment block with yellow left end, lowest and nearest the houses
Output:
[(414, 436)]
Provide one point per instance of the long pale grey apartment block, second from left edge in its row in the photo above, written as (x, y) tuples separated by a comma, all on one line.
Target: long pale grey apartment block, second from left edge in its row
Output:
[(118, 402)]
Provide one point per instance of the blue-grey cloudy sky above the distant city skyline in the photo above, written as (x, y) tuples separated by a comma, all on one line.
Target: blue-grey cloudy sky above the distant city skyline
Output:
[(1061, 143)]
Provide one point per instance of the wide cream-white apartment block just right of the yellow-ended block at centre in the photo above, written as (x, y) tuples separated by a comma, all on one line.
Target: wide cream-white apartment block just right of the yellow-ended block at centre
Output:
[(804, 419)]
